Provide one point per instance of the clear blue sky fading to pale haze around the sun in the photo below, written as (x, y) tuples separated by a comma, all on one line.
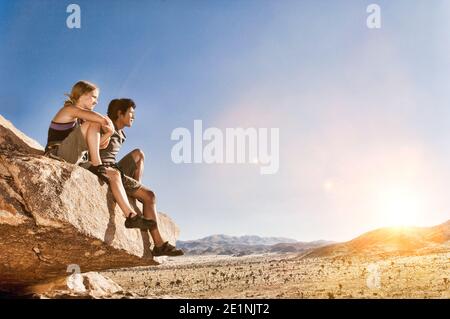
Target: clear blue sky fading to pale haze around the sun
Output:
[(363, 113)]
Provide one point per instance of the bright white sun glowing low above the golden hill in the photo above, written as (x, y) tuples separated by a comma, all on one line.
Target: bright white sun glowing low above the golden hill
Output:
[(400, 206)]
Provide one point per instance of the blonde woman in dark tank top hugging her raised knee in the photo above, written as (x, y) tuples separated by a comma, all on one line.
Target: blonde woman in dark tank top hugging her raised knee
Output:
[(76, 129)]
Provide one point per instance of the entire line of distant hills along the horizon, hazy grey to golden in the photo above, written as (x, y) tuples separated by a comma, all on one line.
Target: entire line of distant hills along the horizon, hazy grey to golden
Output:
[(383, 241)]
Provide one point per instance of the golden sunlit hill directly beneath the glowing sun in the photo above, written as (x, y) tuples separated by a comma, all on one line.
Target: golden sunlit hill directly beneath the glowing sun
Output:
[(393, 240)]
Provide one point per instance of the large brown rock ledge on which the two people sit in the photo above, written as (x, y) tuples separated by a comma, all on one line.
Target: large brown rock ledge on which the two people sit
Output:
[(54, 215)]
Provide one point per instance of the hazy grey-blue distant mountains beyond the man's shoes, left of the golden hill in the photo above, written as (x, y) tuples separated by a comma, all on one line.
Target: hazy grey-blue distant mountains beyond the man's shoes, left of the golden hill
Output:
[(245, 245)]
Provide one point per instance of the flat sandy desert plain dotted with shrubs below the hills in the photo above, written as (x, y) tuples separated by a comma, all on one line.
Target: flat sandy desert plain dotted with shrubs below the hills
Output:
[(289, 276)]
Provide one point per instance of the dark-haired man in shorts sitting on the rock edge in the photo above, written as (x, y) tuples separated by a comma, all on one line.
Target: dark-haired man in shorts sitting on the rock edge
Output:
[(130, 169)]
